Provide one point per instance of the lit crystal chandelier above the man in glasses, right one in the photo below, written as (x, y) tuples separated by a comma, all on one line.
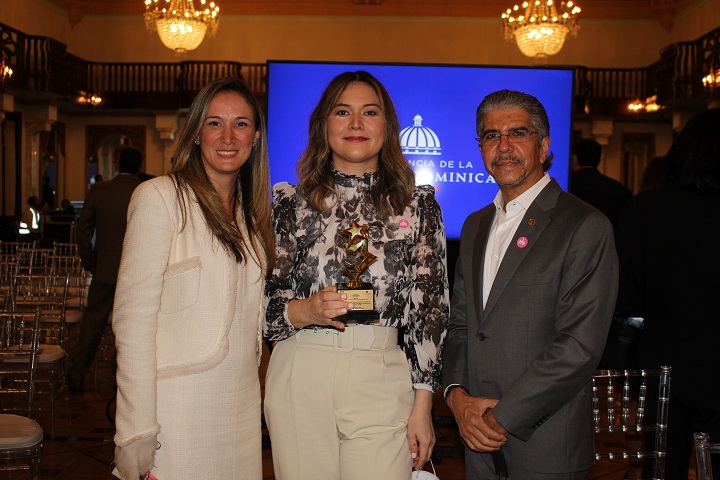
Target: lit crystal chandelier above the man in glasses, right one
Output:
[(539, 28)]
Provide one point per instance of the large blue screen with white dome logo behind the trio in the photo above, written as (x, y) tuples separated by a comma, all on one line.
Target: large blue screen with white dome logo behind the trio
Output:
[(436, 107)]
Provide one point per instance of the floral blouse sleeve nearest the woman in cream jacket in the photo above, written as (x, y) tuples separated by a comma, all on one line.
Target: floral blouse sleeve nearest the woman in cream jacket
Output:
[(278, 288)]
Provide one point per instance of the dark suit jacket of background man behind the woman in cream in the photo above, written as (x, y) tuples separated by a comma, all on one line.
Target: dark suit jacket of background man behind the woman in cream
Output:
[(104, 215)]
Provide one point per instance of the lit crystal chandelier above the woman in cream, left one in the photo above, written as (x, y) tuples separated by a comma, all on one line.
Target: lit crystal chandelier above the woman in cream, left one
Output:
[(179, 25)]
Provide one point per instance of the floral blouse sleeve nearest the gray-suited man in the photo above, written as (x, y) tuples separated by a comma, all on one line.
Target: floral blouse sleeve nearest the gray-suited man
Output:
[(429, 298)]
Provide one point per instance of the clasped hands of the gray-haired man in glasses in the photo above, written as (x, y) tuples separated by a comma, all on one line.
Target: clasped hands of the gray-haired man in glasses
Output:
[(479, 433)]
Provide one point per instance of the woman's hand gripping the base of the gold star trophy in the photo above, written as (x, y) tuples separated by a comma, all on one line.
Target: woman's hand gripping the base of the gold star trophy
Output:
[(319, 309)]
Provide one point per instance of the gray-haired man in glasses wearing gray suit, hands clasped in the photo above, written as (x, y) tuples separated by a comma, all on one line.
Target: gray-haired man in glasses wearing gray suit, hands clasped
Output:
[(533, 297)]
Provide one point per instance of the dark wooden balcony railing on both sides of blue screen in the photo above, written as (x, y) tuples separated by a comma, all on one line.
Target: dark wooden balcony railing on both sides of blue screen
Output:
[(42, 65)]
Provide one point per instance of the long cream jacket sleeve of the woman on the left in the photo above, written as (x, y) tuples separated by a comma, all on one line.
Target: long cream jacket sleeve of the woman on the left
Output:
[(146, 249)]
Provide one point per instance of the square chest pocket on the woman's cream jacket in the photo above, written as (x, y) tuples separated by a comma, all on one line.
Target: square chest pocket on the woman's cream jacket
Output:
[(181, 285)]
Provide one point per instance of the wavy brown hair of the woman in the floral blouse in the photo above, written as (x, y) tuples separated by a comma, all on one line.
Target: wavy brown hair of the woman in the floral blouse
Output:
[(396, 180)]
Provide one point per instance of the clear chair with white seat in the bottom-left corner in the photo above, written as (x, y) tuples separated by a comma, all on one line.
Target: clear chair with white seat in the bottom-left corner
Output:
[(20, 436)]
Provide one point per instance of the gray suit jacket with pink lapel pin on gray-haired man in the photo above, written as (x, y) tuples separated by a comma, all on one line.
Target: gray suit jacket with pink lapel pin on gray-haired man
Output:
[(538, 340)]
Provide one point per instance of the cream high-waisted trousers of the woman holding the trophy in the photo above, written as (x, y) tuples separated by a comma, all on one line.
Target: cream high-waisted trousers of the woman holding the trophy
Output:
[(337, 405)]
